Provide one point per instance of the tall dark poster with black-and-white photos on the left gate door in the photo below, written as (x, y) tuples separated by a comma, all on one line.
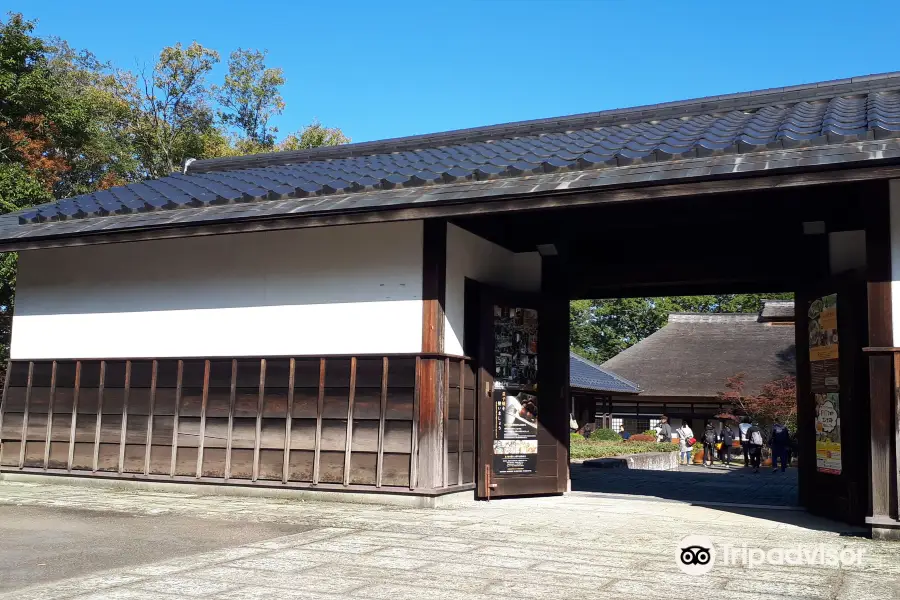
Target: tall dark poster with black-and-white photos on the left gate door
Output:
[(515, 391)]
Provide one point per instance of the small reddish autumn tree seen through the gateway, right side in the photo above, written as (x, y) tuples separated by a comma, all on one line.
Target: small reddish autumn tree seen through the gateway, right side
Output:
[(776, 401)]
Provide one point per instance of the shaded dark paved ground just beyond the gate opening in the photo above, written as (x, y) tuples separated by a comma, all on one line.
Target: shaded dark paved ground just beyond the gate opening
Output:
[(693, 483)]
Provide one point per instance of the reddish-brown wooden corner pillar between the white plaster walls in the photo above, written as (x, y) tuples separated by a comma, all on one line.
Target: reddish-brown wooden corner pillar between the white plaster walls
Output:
[(431, 374)]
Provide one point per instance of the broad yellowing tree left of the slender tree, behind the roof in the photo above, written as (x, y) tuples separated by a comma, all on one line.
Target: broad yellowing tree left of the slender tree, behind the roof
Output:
[(171, 111)]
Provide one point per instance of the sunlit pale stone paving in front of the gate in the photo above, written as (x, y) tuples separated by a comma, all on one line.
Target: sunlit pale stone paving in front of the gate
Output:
[(542, 548)]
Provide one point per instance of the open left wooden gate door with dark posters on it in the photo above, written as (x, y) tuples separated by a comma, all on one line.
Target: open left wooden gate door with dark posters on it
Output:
[(517, 453)]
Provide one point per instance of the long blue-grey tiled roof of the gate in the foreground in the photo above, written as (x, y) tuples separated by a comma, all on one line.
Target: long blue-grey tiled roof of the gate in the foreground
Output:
[(706, 137)]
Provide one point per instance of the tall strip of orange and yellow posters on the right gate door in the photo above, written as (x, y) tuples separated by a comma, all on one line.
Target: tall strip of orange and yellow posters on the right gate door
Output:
[(825, 382)]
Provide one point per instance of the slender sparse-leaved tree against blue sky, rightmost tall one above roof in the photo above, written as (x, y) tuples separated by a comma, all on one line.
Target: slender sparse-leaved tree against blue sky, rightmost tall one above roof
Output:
[(251, 96)]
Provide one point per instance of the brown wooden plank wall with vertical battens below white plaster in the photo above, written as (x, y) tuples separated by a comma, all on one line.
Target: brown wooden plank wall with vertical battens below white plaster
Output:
[(342, 421)]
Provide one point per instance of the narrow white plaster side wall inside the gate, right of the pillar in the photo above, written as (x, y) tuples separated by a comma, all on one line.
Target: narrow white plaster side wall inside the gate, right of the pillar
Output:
[(469, 255)]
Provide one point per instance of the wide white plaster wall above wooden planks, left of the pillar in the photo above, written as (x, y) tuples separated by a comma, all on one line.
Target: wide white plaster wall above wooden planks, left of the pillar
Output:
[(328, 290)]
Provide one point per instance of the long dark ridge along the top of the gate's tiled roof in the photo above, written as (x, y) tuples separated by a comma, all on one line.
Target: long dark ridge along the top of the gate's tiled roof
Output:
[(647, 112)]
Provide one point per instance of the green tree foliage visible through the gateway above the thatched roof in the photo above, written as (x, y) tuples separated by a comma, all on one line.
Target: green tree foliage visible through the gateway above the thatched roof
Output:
[(600, 329)]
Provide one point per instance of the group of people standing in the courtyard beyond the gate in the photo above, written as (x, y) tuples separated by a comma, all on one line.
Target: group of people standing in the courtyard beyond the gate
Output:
[(720, 442)]
